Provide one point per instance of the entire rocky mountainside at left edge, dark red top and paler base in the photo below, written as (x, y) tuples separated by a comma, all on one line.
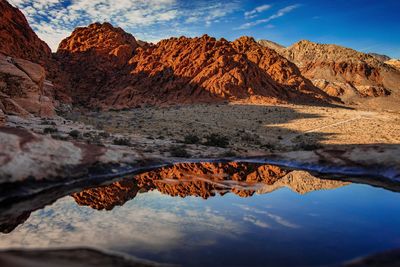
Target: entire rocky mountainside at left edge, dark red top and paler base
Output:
[(23, 89)]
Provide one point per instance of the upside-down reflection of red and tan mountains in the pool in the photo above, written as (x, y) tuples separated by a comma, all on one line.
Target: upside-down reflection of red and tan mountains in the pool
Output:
[(204, 180)]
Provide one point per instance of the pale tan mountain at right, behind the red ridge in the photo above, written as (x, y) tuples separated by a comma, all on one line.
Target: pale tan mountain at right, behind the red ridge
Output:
[(341, 71)]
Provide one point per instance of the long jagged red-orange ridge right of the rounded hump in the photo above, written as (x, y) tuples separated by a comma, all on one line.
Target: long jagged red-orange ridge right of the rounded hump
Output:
[(190, 70)]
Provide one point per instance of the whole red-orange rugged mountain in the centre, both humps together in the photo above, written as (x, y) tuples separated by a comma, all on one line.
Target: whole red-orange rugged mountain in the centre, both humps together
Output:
[(107, 71)]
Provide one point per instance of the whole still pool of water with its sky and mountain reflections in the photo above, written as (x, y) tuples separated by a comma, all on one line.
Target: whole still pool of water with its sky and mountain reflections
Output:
[(217, 220)]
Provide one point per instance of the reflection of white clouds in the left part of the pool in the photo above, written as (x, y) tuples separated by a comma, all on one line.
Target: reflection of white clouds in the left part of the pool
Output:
[(150, 221)]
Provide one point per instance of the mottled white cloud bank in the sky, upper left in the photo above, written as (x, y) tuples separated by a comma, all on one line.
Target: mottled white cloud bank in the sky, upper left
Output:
[(54, 20)]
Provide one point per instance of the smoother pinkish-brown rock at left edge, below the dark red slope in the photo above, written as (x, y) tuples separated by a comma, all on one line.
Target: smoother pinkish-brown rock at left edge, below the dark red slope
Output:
[(22, 88)]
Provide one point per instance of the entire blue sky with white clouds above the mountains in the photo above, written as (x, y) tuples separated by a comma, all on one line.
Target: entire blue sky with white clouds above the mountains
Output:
[(365, 25)]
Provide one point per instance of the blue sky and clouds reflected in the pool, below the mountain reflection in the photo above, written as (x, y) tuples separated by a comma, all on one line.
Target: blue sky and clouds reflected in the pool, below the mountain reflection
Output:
[(280, 228)]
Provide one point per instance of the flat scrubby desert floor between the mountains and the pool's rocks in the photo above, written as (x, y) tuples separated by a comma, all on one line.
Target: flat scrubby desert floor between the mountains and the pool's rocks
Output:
[(235, 129)]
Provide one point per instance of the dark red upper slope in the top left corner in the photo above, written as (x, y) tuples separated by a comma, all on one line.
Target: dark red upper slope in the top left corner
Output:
[(17, 39)]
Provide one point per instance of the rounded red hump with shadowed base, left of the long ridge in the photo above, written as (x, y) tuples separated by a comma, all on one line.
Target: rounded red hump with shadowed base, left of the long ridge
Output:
[(91, 57)]
